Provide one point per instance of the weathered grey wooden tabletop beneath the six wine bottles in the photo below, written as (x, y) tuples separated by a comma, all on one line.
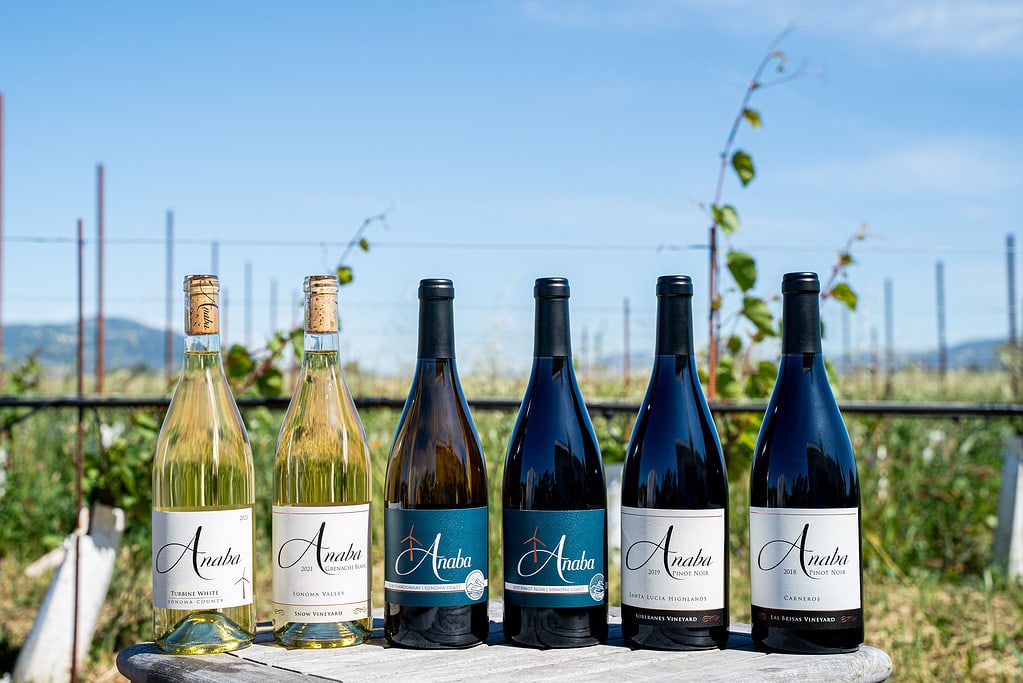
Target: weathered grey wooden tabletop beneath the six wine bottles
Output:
[(375, 661)]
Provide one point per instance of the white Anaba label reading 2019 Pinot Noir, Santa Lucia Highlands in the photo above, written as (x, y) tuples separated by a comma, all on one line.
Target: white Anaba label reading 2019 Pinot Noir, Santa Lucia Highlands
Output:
[(674, 569)]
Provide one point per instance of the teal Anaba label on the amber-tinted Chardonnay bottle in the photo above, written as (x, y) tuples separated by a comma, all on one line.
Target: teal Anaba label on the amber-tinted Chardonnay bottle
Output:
[(436, 558)]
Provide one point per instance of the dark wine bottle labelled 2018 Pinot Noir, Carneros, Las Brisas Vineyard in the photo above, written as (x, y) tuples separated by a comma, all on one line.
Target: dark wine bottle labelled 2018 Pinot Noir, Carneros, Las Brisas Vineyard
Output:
[(806, 575)]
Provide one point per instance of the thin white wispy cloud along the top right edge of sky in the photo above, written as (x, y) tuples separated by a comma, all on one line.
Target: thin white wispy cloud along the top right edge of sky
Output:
[(974, 28)]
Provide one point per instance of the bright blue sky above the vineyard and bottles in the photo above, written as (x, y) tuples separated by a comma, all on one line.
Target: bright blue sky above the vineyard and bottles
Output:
[(509, 141)]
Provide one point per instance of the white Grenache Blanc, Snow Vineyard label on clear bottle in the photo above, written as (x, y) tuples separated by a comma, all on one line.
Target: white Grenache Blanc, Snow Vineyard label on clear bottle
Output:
[(321, 564)]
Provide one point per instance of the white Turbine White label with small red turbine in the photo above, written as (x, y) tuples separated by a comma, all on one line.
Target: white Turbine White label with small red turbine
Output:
[(203, 560)]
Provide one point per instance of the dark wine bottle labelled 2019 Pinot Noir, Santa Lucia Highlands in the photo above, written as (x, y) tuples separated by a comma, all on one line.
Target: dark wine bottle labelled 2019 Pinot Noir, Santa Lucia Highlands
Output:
[(675, 498)]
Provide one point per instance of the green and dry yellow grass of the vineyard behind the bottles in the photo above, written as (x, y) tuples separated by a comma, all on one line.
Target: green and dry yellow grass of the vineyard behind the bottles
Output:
[(930, 494)]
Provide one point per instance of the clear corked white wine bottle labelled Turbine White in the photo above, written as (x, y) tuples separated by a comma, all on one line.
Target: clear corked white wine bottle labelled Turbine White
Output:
[(203, 497)]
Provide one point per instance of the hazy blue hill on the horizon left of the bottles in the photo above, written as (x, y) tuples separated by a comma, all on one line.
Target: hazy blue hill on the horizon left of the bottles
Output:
[(129, 345)]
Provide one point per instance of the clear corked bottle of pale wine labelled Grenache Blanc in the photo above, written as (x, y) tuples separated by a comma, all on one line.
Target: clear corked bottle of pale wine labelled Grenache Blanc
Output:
[(322, 492)]
